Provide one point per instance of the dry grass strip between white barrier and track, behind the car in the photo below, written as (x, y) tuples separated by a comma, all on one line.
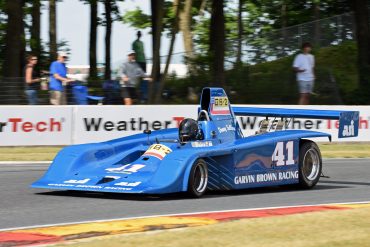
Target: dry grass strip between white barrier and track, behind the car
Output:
[(328, 150)]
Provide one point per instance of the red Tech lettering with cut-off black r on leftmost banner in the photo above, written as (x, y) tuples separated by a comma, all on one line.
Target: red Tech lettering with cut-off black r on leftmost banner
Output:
[(22, 125)]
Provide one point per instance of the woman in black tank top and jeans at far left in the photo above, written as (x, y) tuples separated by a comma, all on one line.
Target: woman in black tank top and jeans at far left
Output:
[(32, 80)]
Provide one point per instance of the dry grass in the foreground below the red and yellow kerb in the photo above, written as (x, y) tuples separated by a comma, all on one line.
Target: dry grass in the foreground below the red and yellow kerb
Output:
[(330, 229)]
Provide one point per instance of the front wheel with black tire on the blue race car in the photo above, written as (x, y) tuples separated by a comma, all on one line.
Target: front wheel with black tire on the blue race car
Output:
[(198, 179)]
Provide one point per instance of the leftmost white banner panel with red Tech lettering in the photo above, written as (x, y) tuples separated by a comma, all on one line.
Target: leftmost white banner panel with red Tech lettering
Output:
[(35, 125)]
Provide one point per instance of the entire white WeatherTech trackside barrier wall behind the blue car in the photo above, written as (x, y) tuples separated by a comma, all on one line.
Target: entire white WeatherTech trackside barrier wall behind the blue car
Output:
[(66, 125)]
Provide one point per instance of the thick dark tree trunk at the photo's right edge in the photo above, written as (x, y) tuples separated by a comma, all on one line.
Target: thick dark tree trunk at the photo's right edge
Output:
[(361, 10)]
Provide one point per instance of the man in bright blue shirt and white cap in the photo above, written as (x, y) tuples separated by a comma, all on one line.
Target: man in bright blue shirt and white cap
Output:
[(58, 80)]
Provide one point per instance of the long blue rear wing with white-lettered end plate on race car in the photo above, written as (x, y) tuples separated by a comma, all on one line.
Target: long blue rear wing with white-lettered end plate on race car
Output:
[(348, 120)]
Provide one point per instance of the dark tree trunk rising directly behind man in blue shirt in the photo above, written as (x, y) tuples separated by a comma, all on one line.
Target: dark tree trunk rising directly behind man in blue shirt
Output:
[(52, 30)]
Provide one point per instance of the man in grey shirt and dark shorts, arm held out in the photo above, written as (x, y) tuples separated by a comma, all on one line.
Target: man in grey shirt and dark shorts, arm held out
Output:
[(132, 74)]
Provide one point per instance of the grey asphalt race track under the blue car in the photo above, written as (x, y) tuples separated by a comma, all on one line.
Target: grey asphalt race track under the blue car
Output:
[(21, 206)]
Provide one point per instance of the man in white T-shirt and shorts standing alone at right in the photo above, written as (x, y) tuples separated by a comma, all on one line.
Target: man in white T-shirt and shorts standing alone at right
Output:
[(303, 65)]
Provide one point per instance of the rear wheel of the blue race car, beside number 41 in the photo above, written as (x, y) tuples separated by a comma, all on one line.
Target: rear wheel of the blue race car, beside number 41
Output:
[(310, 164)]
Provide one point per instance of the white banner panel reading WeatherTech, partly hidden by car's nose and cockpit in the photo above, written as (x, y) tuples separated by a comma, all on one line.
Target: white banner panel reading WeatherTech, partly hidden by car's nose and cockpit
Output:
[(102, 123)]
